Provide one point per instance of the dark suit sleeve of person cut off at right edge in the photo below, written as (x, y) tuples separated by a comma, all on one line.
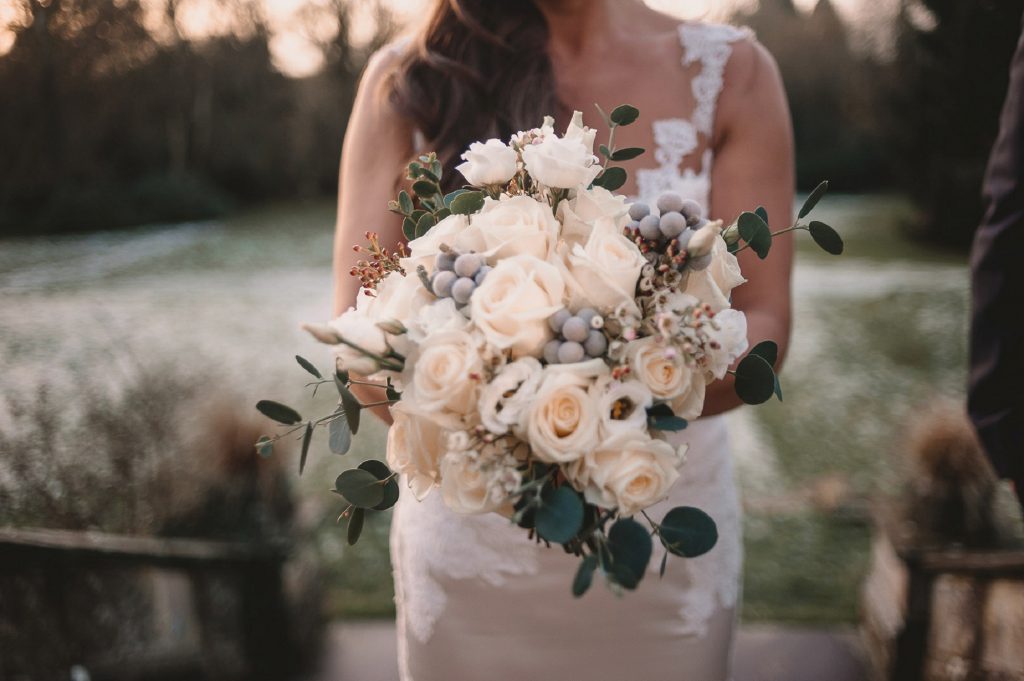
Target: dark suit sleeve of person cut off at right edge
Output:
[(997, 378)]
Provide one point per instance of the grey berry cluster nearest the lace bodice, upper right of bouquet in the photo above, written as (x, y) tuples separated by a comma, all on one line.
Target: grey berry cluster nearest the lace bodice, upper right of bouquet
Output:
[(670, 232)]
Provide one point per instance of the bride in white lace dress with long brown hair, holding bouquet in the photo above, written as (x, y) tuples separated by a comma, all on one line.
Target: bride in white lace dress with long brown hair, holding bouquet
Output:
[(476, 600)]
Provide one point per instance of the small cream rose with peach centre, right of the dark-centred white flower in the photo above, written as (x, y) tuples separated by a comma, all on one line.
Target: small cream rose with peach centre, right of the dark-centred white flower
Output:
[(664, 370)]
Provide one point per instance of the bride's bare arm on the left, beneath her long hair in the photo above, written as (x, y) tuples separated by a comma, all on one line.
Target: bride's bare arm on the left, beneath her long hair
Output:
[(378, 144)]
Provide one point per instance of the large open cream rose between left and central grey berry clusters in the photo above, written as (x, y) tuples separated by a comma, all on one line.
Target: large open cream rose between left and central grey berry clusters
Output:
[(513, 306)]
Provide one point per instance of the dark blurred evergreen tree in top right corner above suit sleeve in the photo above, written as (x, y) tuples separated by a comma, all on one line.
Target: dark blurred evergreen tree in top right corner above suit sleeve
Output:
[(943, 96)]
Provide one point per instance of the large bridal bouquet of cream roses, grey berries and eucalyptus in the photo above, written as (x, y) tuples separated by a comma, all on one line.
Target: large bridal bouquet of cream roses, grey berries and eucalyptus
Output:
[(537, 339)]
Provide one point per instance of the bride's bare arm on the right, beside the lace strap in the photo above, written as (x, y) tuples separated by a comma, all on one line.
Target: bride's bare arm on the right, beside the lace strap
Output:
[(754, 166)]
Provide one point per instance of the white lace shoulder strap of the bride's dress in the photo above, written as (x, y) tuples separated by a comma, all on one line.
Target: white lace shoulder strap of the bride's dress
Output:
[(711, 45)]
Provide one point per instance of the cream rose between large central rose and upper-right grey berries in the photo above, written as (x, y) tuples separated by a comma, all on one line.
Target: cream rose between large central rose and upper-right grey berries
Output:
[(605, 273)]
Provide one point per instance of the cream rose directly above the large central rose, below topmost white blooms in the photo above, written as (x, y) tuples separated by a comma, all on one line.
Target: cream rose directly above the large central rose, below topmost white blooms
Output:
[(515, 226)]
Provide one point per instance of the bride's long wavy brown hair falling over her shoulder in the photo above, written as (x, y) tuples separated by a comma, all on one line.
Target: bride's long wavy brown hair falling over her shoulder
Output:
[(481, 69)]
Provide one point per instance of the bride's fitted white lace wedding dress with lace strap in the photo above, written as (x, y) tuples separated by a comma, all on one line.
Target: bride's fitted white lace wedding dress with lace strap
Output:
[(478, 601)]
